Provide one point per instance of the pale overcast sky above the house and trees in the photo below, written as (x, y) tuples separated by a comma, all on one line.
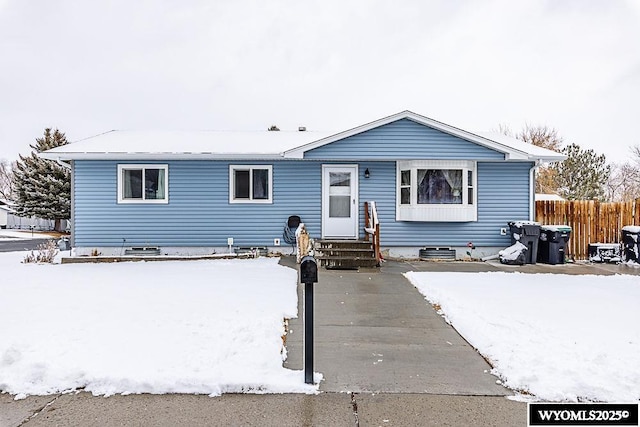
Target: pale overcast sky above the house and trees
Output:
[(86, 67)]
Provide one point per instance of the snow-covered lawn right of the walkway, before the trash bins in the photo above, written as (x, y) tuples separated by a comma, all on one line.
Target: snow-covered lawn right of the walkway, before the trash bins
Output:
[(558, 337)]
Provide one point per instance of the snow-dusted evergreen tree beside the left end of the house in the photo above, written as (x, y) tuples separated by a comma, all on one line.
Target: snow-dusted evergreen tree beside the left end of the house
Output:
[(43, 187)]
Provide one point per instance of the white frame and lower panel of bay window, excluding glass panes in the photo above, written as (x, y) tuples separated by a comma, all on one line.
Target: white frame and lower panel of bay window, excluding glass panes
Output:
[(413, 211)]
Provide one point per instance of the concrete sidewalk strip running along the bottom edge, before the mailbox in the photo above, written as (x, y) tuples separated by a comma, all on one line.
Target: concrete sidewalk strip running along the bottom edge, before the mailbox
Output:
[(325, 409)]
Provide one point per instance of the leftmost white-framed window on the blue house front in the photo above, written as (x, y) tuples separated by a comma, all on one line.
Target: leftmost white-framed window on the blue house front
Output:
[(143, 183)]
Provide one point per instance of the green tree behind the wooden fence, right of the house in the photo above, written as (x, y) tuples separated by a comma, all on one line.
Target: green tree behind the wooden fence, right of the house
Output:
[(583, 175)]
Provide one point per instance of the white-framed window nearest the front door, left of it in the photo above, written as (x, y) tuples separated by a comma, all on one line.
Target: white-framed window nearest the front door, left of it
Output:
[(250, 183)]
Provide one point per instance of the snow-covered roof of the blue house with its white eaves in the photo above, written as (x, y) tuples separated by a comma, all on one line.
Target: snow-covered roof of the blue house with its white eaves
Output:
[(263, 144)]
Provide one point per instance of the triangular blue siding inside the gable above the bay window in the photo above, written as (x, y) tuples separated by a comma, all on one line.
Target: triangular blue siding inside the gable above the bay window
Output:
[(403, 139)]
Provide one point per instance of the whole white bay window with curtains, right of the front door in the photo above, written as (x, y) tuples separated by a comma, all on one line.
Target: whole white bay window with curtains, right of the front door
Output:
[(436, 190)]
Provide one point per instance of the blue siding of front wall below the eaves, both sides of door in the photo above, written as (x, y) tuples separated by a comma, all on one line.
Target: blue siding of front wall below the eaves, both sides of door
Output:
[(199, 212)]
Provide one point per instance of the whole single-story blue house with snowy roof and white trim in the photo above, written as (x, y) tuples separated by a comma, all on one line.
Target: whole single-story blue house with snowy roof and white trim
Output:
[(434, 185)]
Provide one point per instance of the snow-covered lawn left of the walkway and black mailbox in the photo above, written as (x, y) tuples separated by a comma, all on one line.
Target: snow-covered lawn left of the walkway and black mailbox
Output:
[(207, 327)]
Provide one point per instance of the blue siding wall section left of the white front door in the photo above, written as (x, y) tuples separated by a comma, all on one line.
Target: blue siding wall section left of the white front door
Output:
[(198, 212)]
